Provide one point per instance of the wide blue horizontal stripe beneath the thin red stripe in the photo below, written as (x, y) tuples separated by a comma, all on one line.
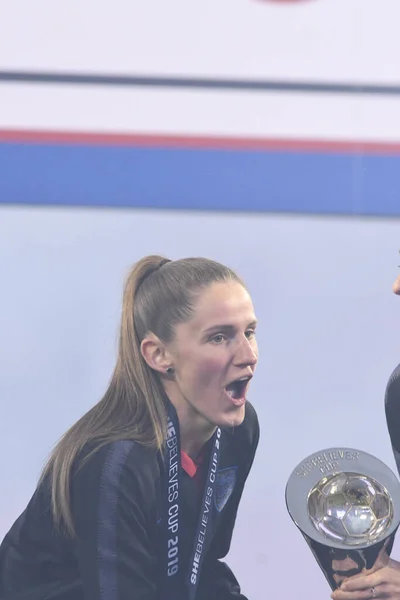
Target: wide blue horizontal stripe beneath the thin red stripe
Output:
[(215, 179)]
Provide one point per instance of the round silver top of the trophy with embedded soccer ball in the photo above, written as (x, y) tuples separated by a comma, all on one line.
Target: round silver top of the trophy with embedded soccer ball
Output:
[(342, 497)]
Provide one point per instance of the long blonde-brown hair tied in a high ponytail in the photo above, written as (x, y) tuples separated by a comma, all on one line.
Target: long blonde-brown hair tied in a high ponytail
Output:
[(158, 294)]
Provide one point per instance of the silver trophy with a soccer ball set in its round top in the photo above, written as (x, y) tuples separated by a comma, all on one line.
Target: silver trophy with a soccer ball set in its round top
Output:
[(346, 504)]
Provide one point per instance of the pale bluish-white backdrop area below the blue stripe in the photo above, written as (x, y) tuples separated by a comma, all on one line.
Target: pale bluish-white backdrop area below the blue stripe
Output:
[(328, 335)]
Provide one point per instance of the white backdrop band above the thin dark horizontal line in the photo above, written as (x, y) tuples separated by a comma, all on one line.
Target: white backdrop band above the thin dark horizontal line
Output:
[(347, 40)]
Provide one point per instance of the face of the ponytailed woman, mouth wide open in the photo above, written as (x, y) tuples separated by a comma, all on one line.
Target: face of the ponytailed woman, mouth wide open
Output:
[(214, 356)]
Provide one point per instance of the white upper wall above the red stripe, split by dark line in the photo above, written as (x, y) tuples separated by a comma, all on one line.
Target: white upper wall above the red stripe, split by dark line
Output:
[(328, 41)]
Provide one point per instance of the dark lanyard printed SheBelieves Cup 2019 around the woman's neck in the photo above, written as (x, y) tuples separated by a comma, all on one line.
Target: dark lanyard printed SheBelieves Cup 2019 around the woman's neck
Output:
[(172, 581)]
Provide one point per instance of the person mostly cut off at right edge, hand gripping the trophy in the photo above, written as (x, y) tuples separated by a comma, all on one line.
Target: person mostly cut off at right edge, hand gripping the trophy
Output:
[(383, 582)]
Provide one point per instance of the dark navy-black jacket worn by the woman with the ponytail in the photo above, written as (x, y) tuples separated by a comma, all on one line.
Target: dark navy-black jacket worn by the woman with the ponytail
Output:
[(116, 505)]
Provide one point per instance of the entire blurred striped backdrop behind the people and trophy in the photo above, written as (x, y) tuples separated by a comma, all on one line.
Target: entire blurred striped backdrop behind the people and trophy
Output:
[(262, 134)]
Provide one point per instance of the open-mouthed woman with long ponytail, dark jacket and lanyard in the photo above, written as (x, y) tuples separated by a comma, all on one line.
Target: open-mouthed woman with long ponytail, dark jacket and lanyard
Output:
[(139, 498)]
